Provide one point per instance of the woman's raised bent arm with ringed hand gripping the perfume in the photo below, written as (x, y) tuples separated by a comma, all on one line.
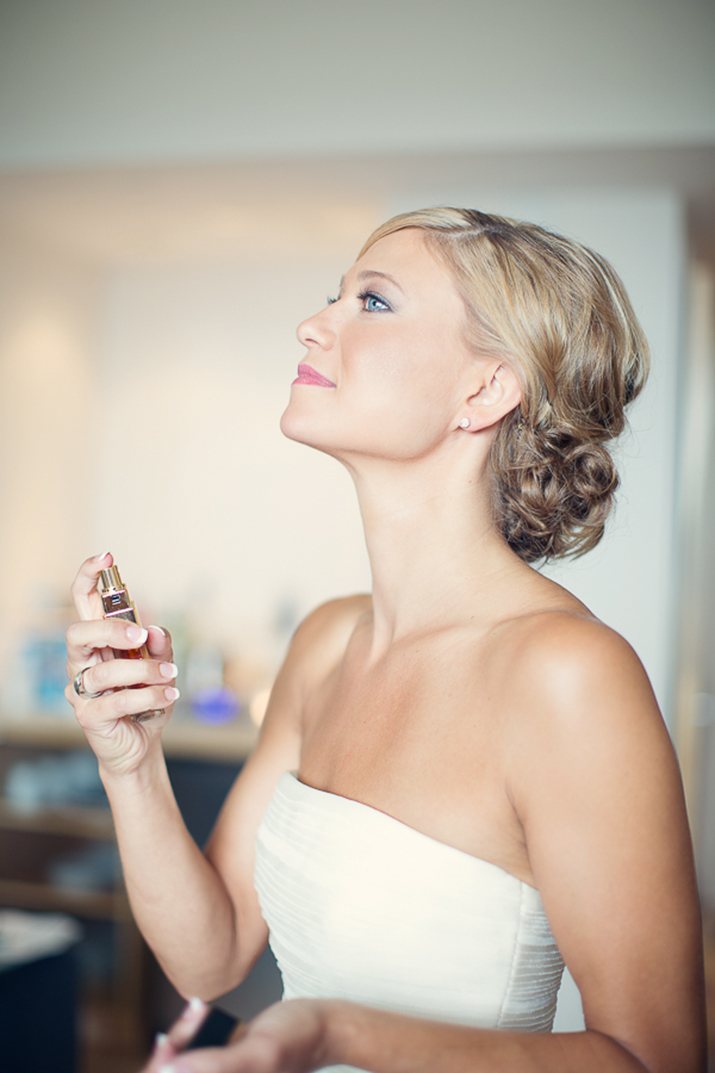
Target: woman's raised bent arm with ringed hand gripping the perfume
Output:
[(201, 918)]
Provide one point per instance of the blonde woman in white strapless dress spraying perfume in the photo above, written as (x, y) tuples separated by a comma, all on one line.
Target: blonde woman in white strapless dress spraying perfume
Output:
[(484, 783)]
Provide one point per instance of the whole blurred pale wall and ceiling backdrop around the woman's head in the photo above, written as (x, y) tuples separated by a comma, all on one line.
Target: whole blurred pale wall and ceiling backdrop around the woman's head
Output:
[(182, 183)]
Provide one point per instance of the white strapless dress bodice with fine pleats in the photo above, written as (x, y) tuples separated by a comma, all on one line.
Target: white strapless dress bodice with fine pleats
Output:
[(361, 907)]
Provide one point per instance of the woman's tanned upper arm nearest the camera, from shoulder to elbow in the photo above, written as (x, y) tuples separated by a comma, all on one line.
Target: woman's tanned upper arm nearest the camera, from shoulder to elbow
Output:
[(597, 788)]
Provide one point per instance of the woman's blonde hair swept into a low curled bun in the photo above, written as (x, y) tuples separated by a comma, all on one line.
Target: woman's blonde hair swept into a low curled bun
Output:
[(559, 315)]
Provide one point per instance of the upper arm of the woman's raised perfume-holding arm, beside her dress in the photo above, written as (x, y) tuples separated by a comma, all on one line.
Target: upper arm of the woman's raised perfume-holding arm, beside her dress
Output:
[(316, 645)]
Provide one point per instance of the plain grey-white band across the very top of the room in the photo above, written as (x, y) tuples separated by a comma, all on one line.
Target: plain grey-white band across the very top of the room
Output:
[(100, 81)]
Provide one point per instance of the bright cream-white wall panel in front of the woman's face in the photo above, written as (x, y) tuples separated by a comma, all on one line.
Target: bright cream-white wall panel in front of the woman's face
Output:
[(220, 515)]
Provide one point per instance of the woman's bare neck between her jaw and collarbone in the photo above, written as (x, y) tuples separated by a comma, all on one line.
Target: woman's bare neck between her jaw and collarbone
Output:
[(436, 556)]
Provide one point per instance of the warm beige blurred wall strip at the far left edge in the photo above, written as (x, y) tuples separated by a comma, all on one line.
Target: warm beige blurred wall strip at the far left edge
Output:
[(48, 316)]
